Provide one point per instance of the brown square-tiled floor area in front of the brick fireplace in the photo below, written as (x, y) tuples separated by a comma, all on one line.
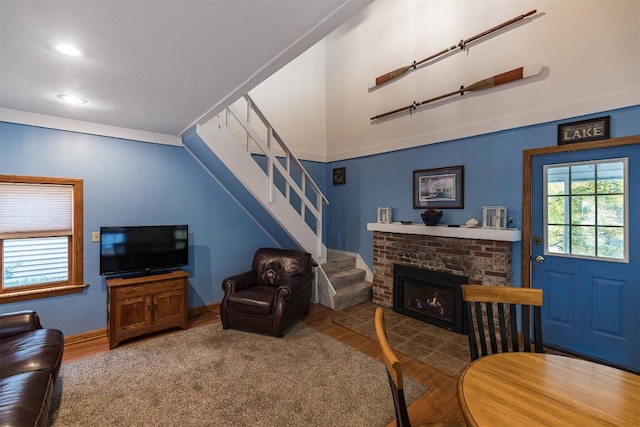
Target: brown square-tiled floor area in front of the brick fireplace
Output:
[(444, 350)]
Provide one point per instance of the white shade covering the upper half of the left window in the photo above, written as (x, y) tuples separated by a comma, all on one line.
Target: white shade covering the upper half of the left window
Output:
[(35, 210)]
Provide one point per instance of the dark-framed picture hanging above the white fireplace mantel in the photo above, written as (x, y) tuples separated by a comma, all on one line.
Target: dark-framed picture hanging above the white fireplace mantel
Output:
[(440, 188)]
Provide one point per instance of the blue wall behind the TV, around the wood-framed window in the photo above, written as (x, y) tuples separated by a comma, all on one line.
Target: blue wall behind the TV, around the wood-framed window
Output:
[(133, 183)]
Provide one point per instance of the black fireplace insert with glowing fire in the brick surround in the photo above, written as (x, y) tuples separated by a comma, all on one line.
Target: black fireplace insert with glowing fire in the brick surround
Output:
[(431, 296)]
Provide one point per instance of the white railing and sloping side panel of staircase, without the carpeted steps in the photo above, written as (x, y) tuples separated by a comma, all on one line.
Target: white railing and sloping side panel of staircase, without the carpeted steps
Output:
[(242, 138)]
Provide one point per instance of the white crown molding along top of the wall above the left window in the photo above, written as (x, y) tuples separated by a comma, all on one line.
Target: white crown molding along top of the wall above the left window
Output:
[(60, 123)]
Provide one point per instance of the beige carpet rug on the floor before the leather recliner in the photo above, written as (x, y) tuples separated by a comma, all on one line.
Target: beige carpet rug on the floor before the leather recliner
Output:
[(209, 377)]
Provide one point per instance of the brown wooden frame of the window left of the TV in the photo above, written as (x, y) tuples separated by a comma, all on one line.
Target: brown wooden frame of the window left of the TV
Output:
[(74, 282)]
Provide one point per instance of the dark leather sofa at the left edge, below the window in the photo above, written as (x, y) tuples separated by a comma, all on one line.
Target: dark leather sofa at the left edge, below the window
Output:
[(30, 360)]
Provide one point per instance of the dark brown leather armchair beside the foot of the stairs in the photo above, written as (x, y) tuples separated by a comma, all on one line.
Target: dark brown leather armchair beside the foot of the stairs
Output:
[(270, 297)]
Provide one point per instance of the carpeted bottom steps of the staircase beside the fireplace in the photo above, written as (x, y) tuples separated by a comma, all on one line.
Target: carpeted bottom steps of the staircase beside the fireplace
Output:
[(347, 280)]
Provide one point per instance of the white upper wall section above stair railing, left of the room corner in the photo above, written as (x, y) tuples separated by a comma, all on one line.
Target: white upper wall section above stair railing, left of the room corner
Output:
[(294, 102)]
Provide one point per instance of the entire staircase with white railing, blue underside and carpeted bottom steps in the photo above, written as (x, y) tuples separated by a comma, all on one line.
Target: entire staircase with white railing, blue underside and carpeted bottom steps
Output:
[(242, 151)]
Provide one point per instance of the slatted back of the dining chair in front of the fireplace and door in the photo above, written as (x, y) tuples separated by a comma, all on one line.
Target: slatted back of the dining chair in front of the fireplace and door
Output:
[(492, 314)]
